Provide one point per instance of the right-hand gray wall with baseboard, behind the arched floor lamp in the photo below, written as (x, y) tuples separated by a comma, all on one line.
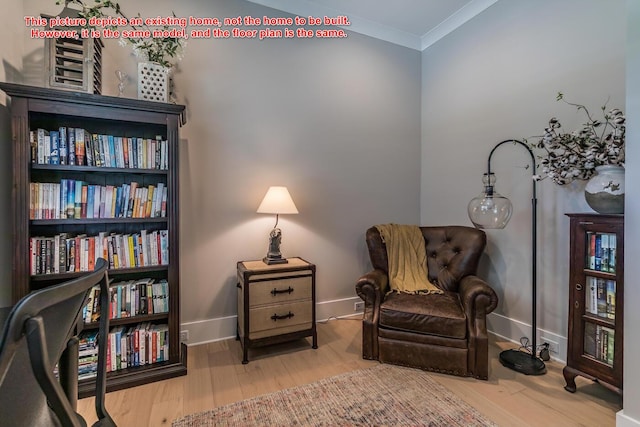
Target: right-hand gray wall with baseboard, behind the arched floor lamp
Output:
[(496, 78)]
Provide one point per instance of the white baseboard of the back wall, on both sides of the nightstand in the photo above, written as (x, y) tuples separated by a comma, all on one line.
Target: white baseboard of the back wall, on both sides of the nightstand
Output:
[(222, 328)]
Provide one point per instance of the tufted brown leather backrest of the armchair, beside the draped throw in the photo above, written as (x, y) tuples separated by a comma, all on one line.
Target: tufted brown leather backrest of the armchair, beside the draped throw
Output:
[(453, 252)]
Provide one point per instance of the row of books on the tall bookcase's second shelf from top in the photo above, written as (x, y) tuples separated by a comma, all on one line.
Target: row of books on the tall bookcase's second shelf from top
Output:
[(75, 199)]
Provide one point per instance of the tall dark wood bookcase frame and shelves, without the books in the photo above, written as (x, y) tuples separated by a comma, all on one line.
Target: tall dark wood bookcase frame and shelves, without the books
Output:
[(33, 108)]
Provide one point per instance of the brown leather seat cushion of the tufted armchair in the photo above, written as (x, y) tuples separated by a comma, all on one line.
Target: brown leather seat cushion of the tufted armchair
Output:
[(433, 314)]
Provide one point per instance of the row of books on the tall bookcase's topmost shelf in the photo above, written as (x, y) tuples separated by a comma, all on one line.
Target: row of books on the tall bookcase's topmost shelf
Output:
[(79, 147)]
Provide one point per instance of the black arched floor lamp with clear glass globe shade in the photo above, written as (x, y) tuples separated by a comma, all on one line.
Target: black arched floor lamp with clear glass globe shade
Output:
[(491, 210)]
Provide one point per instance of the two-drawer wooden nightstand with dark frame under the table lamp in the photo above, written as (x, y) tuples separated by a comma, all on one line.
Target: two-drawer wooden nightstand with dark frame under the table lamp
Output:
[(276, 303)]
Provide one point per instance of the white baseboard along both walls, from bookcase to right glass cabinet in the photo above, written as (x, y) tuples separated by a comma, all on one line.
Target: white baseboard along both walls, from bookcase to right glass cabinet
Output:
[(210, 330)]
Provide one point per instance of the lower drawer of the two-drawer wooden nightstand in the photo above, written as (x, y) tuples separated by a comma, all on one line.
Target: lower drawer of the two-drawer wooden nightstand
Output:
[(280, 319)]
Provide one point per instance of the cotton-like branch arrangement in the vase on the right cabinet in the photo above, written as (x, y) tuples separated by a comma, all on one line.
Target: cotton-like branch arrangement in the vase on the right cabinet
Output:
[(575, 155)]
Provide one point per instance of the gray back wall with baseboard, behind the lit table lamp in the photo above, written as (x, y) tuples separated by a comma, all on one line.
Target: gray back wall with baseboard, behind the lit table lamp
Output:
[(337, 121)]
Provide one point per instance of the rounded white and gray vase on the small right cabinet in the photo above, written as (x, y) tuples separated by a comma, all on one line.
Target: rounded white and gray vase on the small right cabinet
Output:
[(604, 192)]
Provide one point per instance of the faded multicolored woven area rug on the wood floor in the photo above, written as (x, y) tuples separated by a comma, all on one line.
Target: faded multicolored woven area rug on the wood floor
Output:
[(383, 395)]
